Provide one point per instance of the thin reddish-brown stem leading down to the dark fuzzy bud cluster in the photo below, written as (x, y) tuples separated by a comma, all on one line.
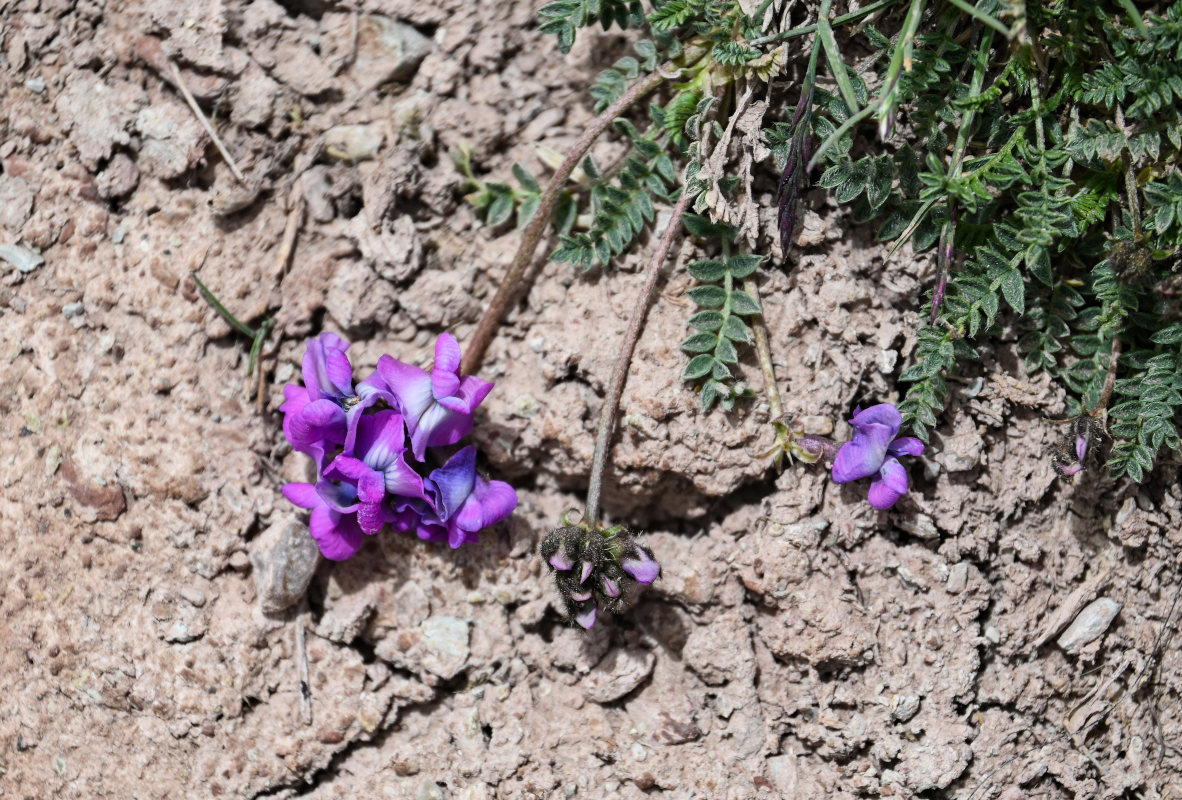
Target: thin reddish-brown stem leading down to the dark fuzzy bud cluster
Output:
[(620, 370)]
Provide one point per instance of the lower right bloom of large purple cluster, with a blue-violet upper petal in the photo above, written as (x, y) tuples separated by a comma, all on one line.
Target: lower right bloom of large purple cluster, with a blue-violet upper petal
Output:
[(463, 502)]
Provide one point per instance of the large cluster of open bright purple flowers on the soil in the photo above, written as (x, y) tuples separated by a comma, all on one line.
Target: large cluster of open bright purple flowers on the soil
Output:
[(386, 452)]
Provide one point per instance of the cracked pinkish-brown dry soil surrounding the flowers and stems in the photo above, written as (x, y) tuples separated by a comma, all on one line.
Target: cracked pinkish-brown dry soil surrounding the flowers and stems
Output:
[(800, 646)]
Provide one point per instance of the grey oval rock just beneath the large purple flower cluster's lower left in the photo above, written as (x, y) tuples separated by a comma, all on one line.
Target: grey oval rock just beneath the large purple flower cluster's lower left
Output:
[(284, 557)]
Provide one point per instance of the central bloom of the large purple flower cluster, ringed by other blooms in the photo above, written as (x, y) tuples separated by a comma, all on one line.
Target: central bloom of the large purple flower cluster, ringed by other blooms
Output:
[(378, 467)]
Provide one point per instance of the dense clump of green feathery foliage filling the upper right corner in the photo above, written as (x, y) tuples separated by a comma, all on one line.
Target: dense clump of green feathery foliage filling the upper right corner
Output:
[(1048, 158)]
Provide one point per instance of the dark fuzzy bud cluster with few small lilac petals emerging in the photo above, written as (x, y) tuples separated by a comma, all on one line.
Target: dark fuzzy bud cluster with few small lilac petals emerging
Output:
[(593, 569)]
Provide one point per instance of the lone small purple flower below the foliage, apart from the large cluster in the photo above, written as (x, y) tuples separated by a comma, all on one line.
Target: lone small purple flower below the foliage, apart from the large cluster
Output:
[(875, 452)]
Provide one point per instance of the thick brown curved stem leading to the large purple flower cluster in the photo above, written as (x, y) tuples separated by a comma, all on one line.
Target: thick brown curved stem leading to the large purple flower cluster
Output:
[(532, 235)]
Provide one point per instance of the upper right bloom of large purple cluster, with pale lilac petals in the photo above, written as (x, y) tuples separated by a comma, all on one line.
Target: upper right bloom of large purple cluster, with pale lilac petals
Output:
[(437, 407)]
